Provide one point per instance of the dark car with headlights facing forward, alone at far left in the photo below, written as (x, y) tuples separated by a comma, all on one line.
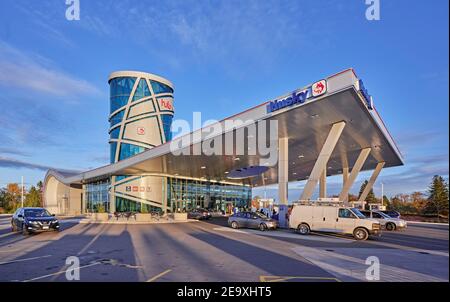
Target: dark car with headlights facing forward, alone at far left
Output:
[(31, 220)]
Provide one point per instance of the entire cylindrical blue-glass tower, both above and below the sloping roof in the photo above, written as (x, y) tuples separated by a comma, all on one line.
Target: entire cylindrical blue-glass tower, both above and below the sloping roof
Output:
[(141, 112)]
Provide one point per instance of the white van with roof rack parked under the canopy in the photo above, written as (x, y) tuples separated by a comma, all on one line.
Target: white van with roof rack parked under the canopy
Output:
[(334, 219)]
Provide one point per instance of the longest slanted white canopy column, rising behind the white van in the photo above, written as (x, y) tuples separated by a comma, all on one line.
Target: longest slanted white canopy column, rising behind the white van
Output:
[(322, 160)]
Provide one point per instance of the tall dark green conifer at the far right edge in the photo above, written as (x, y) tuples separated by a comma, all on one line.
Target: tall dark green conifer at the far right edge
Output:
[(438, 196)]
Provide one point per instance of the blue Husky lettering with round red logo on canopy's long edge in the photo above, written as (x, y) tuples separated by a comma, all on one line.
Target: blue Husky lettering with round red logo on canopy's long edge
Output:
[(299, 97)]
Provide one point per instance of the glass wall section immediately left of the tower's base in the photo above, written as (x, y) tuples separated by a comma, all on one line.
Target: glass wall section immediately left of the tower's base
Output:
[(97, 195)]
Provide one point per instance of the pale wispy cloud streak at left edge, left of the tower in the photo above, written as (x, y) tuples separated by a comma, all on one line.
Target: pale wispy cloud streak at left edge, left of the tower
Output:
[(34, 73)]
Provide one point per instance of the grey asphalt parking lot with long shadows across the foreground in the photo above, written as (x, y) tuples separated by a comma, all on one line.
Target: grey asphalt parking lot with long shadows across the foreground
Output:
[(210, 251)]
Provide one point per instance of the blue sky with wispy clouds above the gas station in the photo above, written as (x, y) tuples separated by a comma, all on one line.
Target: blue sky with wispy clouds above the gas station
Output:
[(223, 57)]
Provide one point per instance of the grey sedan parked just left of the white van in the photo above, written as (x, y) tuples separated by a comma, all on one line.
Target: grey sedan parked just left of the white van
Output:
[(253, 220)]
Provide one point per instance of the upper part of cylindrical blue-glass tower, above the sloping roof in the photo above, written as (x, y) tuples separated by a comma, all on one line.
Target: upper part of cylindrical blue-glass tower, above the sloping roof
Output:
[(141, 112)]
